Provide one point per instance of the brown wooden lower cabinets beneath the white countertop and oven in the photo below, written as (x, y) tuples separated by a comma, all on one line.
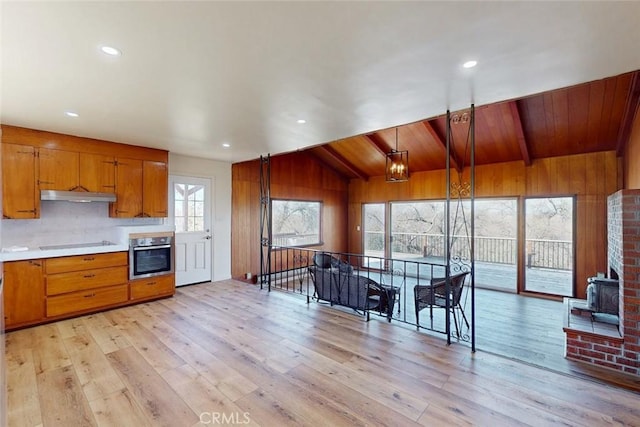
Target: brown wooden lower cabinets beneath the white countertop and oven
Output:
[(37, 291)]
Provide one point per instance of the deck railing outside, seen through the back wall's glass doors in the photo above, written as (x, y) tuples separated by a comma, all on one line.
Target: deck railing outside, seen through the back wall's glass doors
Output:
[(554, 254)]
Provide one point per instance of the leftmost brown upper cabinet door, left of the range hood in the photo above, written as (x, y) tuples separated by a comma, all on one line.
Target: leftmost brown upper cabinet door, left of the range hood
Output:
[(19, 192)]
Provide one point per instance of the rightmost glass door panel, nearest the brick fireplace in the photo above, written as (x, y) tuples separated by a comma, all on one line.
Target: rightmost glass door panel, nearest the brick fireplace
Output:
[(549, 245)]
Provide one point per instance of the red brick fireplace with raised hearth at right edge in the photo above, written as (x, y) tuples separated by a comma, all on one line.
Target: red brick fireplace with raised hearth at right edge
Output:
[(621, 350)]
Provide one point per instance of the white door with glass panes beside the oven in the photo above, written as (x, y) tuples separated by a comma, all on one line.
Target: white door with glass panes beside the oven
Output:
[(191, 213)]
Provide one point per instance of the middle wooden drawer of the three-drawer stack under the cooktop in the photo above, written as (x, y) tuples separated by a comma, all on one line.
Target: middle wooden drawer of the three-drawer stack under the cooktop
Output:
[(82, 280)]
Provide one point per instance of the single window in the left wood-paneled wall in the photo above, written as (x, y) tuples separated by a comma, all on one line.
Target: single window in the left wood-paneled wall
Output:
[(296, 223)]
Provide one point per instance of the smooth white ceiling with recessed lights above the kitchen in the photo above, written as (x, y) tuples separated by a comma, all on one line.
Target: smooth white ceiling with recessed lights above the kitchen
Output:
[(195, 75)]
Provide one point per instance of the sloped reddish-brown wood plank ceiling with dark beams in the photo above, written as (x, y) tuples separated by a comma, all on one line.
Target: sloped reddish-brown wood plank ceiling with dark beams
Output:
[(590, 117)]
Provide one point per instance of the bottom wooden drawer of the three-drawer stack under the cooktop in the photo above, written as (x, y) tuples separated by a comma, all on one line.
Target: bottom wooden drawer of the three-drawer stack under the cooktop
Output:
[(80, 301)]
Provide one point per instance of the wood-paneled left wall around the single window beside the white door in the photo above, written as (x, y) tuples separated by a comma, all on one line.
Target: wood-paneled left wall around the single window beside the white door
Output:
[(297, 176)]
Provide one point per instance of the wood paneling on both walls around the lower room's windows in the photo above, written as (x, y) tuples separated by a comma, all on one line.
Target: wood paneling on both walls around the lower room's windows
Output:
[(590, 177)]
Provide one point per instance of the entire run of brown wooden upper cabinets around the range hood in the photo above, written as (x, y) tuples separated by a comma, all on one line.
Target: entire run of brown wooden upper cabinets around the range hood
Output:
[(35, 160)]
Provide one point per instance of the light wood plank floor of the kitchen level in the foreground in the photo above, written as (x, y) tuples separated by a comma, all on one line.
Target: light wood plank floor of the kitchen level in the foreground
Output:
[(228, 353)]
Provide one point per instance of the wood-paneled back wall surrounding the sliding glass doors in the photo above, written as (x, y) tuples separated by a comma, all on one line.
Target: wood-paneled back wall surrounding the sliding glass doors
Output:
[(590, 177)]
